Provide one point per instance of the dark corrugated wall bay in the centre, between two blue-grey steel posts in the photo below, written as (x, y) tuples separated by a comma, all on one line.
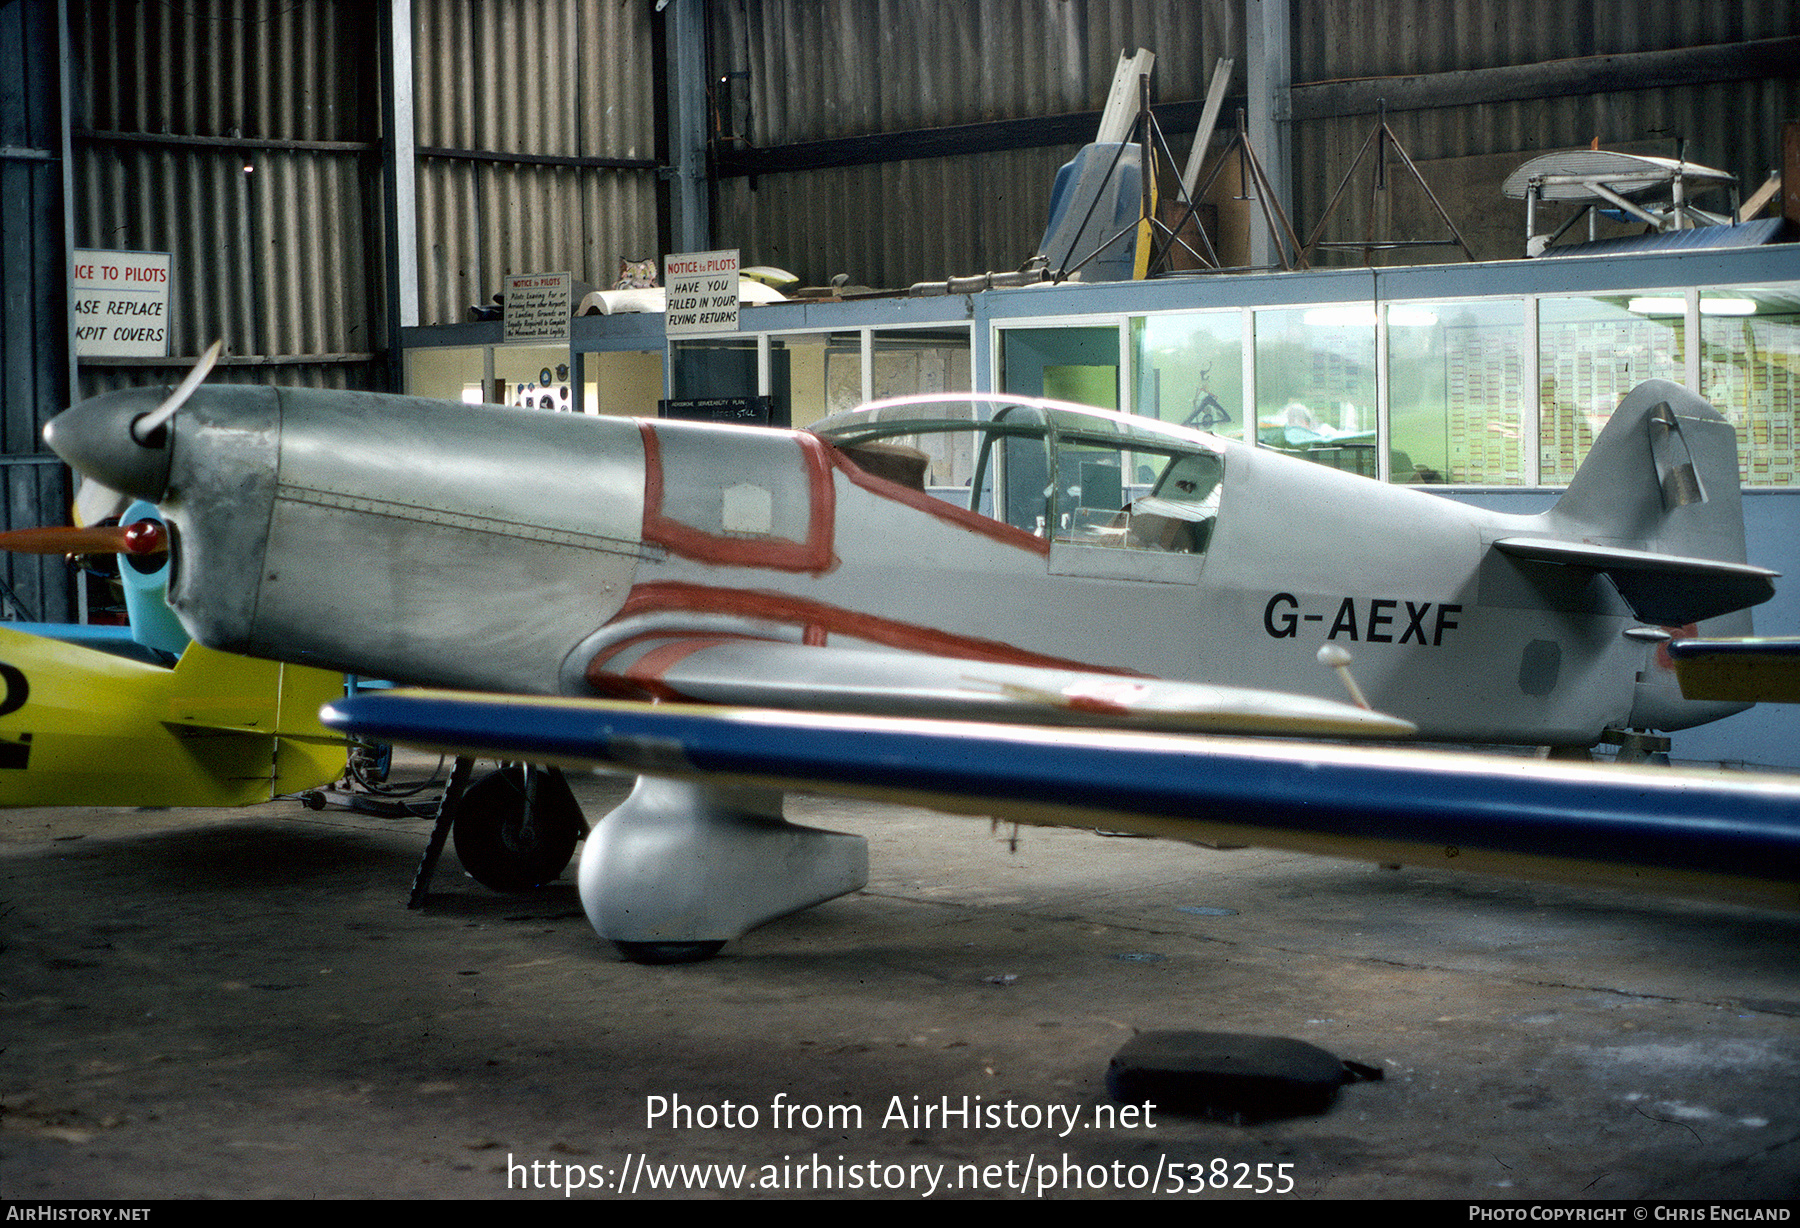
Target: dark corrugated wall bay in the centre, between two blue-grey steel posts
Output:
[(978, 104)]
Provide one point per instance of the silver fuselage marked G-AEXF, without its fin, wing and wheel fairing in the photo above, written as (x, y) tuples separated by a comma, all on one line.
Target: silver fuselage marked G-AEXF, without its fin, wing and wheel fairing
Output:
[(553, 554)]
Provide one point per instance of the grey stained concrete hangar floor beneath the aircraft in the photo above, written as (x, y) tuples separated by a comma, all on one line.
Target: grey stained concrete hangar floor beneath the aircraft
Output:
[(240, 1006)]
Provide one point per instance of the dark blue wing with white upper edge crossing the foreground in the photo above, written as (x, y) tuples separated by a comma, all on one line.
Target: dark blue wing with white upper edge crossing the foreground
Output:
[(1718, 836)]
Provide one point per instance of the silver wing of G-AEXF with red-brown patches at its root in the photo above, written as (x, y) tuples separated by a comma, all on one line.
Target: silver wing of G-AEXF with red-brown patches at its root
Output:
[(773, 674)]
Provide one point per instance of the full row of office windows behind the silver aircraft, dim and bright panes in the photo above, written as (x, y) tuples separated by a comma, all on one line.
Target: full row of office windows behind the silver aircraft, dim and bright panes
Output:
[(1500, 392)]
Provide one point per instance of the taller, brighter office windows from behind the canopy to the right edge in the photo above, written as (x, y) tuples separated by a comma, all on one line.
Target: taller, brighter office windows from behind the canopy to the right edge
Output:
[(1500, 392)]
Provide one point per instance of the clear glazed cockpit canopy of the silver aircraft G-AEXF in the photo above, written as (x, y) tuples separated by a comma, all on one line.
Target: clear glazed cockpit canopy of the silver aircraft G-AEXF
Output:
[(1074, 474)]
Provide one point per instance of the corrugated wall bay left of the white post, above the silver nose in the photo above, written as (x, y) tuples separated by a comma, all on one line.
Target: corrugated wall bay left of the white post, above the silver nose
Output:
[(244, 141)]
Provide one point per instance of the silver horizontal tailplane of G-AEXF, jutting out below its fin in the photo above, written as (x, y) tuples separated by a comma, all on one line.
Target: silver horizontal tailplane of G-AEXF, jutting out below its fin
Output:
[(1662, 590)]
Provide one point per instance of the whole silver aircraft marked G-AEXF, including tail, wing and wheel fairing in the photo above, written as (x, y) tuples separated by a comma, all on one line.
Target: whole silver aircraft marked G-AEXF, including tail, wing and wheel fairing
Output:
[(962, 557)]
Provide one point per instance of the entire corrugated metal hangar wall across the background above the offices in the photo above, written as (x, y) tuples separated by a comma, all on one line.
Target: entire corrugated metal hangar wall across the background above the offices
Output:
[(886, 140)]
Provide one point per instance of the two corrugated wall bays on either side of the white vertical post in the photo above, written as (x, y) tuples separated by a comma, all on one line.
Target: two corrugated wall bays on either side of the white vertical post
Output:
[(246, 138)]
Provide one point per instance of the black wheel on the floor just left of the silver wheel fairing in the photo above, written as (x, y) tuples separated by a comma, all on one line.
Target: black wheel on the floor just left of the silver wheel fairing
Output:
[(516, 829)]
